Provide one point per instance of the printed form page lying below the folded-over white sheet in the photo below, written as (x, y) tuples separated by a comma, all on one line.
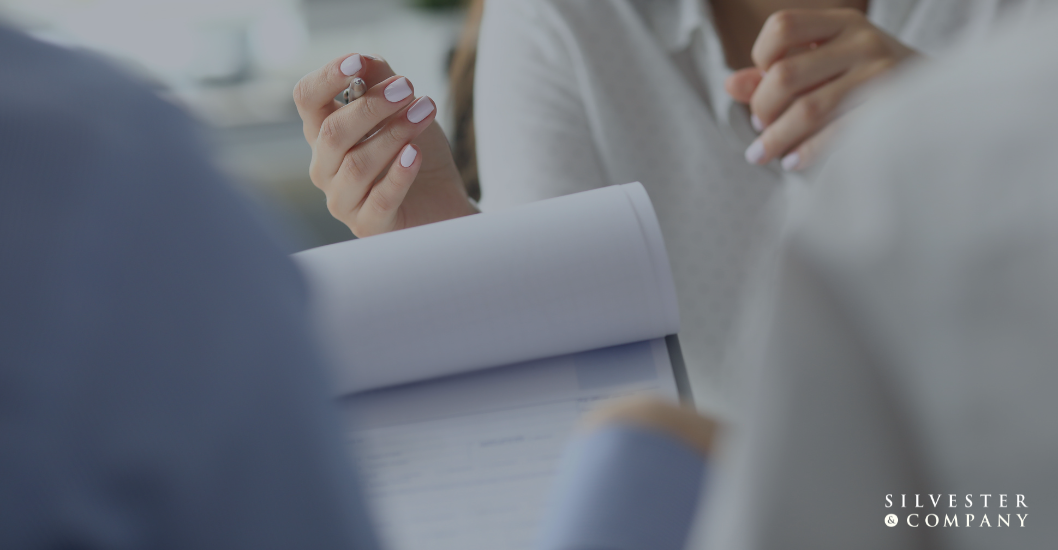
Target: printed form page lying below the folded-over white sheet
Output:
[(467, 463)]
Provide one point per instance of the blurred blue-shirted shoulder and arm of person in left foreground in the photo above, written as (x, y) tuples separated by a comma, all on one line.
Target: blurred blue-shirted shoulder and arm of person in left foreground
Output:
[(169, 392)]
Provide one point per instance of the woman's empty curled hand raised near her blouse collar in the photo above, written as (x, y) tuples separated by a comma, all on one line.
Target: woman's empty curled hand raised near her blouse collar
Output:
[(807, 63)]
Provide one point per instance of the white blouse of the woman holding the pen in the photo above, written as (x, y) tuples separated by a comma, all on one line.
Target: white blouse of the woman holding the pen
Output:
[(577, 95)]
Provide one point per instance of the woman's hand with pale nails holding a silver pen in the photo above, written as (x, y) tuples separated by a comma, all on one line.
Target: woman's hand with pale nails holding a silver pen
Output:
[(382, 160)]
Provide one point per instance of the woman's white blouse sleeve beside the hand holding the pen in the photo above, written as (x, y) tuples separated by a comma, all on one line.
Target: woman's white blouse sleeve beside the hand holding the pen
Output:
[(534, 137)]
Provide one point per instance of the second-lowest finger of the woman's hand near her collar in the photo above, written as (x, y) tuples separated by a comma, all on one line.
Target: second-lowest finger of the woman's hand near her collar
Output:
[(807, 116)]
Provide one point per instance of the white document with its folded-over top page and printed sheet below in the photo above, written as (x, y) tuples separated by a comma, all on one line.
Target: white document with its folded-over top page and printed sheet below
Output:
[(466, 351)]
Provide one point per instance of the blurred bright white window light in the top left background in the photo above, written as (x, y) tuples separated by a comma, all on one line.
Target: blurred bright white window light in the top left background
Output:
[(177, 43)]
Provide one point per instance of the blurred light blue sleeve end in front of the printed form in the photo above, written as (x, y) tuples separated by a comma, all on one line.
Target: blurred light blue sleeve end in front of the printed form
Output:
[(625, 488)]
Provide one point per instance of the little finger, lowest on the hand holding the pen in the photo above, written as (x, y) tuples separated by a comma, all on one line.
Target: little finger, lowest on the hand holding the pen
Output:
[(381, 211)]
